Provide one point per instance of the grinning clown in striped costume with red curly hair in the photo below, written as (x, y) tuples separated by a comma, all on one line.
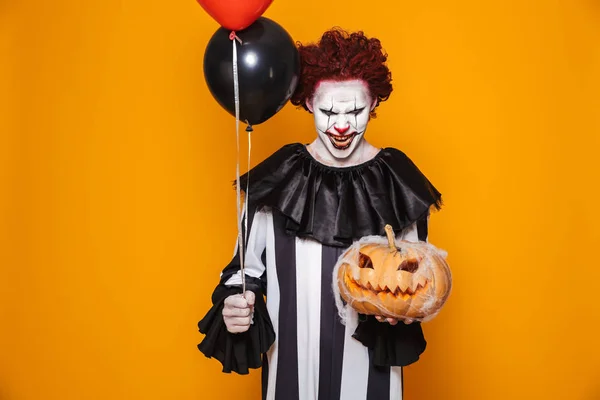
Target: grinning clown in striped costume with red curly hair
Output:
[(307, 205)]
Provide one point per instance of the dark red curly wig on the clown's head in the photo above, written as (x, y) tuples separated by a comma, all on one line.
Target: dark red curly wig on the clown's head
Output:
[(343, 56)]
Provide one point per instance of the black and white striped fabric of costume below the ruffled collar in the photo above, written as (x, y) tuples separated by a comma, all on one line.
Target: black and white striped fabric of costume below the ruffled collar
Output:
[(314, 356)]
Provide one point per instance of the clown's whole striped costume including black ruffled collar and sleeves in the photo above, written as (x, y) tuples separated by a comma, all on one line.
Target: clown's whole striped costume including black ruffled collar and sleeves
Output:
[(302, 217)]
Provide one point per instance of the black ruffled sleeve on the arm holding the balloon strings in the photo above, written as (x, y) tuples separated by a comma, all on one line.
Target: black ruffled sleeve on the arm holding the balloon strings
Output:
[(237, 352)]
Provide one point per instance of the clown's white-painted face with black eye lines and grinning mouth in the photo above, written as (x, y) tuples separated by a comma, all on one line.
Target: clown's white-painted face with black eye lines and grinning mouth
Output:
[(341, 111)]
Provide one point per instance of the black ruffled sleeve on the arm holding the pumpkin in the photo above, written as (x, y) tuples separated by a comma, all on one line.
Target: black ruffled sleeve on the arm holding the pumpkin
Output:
[(393, 345)]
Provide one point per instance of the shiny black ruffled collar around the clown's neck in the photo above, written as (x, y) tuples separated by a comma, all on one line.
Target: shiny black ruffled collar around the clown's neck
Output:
[(336, 206)]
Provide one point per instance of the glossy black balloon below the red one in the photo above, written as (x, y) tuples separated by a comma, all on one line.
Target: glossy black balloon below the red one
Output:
[(268, 70)]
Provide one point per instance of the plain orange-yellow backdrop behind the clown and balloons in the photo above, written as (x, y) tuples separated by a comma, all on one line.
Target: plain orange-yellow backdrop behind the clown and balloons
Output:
[(117, 212)]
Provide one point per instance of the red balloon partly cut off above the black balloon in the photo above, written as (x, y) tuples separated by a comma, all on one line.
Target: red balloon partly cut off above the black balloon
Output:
[(235, 14)]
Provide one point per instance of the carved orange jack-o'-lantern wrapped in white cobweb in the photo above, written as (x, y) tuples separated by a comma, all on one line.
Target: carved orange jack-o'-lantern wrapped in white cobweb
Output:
[(393, 278)]
